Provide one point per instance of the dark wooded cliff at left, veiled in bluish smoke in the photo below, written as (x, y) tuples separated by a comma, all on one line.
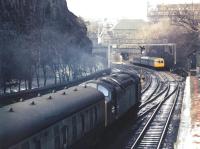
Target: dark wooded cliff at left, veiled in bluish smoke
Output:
[(39, 36)]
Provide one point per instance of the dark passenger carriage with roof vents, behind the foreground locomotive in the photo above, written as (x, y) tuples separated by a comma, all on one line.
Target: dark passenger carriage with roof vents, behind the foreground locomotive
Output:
[(52, 122)]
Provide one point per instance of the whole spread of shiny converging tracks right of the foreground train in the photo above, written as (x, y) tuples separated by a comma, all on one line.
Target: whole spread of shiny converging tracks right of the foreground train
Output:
[(153, 116)]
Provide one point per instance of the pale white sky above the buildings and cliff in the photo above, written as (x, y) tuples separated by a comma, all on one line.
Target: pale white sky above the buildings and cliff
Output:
[(115, 9)]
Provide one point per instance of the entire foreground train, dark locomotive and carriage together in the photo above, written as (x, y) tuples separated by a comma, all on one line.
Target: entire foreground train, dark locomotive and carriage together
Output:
[(67, 117)]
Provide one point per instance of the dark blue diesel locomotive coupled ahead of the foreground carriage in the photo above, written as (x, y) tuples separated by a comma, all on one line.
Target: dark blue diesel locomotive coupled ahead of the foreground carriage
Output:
[(121, 92)]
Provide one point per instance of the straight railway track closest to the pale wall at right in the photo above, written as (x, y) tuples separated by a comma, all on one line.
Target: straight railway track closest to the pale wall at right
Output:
[(152, 133)]
